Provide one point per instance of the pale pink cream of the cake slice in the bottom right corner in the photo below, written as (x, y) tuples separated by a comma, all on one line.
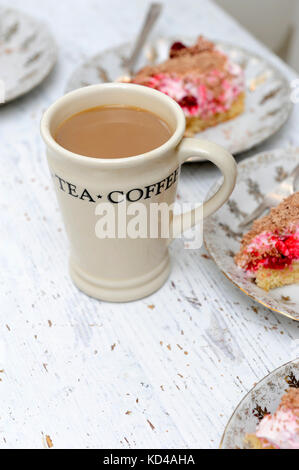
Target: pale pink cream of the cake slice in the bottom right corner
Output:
[(280, 429)]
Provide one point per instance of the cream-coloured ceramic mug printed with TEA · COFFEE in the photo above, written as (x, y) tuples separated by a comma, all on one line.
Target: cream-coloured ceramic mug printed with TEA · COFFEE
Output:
[(124, 269)]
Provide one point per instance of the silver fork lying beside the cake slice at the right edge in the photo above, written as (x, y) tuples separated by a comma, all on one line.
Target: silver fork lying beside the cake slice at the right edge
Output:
[(274, 197)]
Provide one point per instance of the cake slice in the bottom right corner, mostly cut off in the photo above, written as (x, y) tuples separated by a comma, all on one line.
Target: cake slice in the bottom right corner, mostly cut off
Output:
[(280, 430)]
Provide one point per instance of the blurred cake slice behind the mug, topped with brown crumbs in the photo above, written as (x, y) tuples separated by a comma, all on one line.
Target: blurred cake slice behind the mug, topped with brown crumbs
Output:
[(203, 80)]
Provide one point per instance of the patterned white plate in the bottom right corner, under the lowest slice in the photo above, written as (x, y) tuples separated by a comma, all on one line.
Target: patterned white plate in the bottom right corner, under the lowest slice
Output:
[(266, 394)]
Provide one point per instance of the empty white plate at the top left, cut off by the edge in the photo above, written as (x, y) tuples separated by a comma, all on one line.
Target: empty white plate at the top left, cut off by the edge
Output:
[(27, 52)]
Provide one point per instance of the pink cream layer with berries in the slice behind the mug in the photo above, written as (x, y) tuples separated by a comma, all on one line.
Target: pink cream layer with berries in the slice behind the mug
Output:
[(195, 97)]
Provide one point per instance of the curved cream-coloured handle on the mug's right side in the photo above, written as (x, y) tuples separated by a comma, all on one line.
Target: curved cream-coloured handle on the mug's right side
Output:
[(224, 161)]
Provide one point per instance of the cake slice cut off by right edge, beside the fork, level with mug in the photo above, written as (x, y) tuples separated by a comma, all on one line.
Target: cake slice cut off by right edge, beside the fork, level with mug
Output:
[(270, 250)]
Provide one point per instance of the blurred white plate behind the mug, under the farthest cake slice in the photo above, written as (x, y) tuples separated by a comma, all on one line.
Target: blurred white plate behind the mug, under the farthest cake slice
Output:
[(268, 103)]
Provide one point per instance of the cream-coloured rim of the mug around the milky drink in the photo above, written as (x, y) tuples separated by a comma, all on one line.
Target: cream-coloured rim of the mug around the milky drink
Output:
[(172, 142)]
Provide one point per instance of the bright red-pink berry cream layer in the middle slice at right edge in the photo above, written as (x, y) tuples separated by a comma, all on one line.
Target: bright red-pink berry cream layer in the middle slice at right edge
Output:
[(286, 247)]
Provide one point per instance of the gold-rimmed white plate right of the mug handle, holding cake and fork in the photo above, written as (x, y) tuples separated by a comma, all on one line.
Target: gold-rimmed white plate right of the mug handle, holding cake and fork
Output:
[(256, 176)]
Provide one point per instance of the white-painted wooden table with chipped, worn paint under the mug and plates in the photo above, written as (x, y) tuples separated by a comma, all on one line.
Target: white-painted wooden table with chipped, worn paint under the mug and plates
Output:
[(164, 372)]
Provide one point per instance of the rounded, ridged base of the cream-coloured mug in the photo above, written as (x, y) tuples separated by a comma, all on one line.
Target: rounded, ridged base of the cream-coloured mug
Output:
[(126, 291)]
